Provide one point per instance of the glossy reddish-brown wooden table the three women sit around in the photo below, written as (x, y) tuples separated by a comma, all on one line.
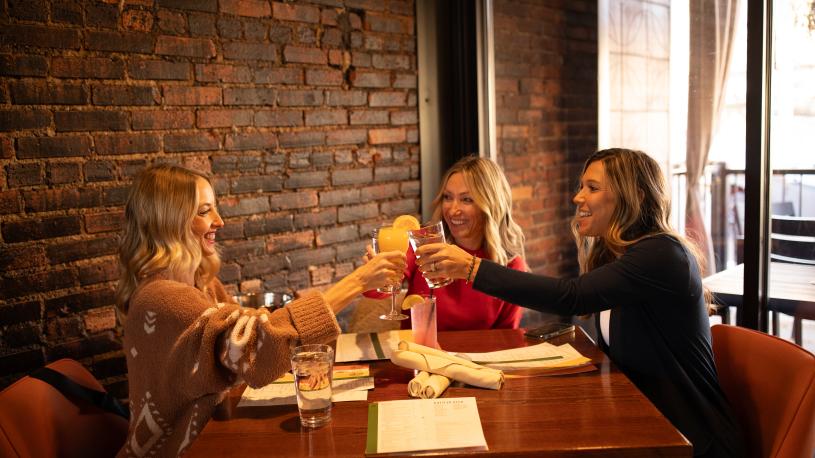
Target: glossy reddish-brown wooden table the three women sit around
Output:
[(593, 413)]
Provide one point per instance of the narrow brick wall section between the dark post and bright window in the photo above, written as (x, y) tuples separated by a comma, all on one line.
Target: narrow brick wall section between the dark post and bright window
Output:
[(546, 97)]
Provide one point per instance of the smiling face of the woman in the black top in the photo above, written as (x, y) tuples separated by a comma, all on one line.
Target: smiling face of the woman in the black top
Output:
[(595, 202)]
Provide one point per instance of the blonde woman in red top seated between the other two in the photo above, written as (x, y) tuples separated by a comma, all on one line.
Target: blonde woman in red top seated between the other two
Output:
[(475, 203)]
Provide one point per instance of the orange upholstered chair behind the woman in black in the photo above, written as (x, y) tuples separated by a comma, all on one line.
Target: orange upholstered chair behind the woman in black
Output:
[(770, 384)]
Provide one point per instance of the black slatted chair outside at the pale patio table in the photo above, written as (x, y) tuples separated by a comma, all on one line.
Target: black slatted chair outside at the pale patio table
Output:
[(793, 241)]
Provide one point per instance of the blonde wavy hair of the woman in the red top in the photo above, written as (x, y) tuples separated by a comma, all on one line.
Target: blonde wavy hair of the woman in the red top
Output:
[(503, 238)]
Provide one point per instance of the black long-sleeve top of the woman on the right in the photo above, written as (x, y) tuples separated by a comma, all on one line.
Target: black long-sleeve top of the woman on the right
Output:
[(659, 331)]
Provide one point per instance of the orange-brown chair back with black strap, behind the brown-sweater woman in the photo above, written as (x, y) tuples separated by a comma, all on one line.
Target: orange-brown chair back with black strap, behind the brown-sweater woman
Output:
[(36, 420)]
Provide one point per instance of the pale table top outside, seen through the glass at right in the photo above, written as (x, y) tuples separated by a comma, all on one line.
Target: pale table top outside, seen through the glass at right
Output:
[(791, 285)]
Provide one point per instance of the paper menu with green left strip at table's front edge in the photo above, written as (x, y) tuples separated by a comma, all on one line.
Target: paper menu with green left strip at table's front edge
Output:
[(424, 424)]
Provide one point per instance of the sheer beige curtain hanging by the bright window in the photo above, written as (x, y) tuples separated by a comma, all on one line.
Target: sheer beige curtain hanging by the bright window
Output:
[(712, 28)]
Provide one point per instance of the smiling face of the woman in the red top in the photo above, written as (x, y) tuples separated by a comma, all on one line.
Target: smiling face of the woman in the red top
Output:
[(463, 217)]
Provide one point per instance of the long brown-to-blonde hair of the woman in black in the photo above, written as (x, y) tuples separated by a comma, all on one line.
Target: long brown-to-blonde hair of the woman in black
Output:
[(642, 209)]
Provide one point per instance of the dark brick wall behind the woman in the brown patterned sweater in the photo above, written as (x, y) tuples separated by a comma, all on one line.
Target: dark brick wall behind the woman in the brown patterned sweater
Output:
[(305, 112)]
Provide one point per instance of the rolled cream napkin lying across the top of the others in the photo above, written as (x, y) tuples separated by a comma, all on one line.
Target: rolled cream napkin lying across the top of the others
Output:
[(419, 357)]
